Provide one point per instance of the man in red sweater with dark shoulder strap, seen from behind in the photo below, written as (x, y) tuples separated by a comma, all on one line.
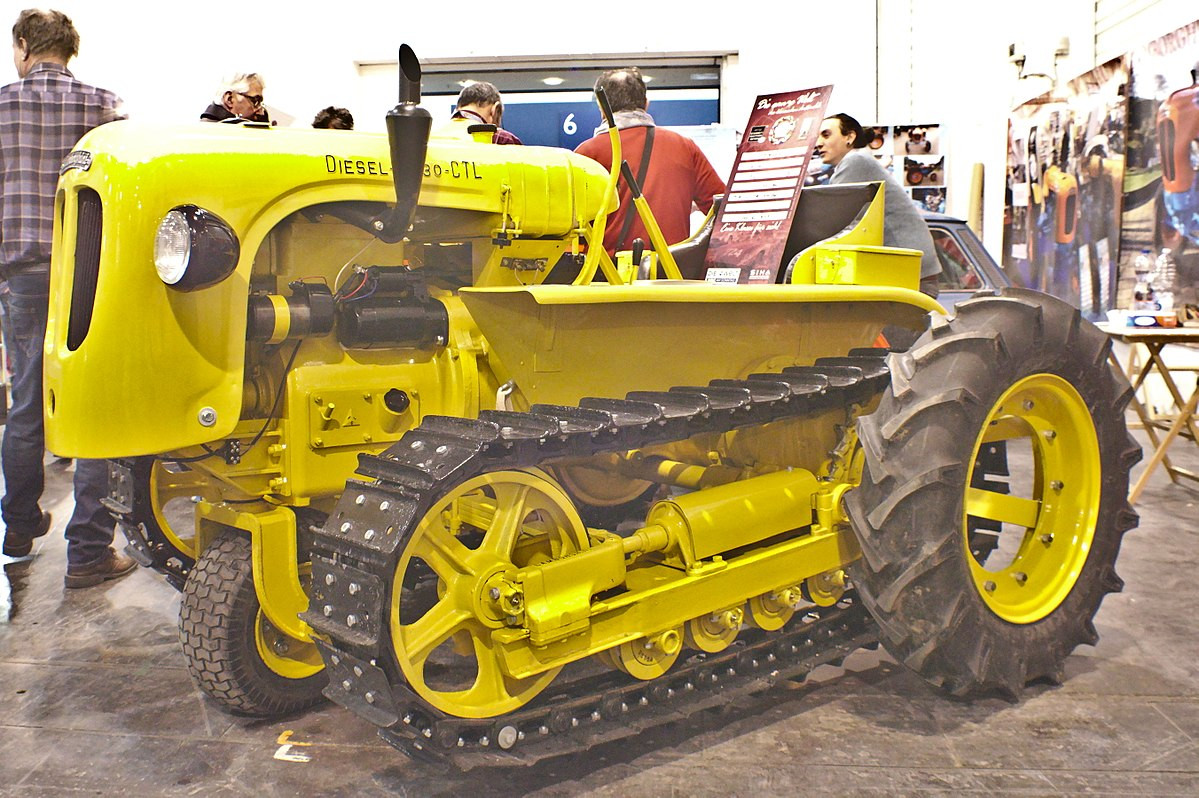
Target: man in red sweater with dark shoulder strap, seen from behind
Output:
[(677, 174)]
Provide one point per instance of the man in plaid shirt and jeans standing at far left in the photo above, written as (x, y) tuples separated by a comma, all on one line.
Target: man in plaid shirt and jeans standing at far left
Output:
[(43, 116)]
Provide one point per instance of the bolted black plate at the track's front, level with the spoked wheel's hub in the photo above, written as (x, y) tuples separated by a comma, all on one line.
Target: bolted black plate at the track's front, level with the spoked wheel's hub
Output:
[(346, 602)]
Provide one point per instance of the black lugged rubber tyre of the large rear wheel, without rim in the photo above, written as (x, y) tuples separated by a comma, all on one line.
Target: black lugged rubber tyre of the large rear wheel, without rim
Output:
[(914, 575)]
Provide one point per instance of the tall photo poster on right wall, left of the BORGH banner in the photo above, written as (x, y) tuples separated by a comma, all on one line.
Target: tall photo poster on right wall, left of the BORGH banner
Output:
[(1064, 190)]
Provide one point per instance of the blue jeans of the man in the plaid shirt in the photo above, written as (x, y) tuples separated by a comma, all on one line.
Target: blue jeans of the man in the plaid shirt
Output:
[(91, 530)]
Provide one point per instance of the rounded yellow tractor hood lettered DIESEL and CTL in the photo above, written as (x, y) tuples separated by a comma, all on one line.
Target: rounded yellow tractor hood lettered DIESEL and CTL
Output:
[(188, 350)]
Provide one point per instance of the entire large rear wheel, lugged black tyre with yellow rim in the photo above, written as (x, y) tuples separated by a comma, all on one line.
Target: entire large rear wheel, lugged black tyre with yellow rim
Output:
[(1025, 370)]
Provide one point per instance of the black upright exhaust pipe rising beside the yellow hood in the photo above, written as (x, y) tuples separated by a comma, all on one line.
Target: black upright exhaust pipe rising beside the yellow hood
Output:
[(408, 135)]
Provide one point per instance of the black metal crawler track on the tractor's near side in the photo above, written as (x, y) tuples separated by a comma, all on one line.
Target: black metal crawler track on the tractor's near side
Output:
[(357, 552)]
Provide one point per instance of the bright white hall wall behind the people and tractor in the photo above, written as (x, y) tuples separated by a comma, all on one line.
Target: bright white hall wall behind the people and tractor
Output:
[(936, 62)]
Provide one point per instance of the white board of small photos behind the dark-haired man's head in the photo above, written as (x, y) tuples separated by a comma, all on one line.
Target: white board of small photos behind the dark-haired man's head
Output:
[(913, 154)]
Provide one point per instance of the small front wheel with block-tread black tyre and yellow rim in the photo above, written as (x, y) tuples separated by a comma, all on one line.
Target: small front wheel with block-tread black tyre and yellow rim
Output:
[(233, 651)]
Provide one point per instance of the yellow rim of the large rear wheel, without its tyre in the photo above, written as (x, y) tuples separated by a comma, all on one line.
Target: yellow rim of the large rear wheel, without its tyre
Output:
[(1050, 530)]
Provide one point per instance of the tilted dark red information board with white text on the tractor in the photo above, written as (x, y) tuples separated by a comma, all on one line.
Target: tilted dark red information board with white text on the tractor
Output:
[(752, 228)]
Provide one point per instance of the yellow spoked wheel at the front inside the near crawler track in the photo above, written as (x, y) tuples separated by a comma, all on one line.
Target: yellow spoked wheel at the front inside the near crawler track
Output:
[(444, 609)]
